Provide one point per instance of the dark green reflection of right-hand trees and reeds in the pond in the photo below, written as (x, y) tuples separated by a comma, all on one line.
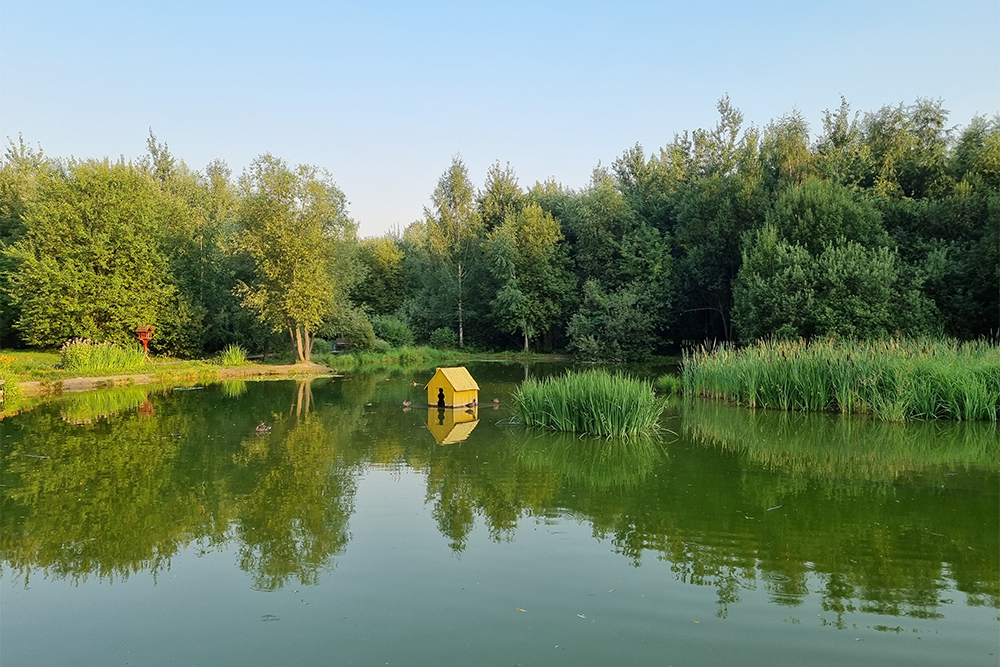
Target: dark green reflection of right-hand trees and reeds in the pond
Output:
[(812, 510)]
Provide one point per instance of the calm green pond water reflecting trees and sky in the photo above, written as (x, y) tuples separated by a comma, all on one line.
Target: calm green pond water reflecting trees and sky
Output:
[(159, 528)]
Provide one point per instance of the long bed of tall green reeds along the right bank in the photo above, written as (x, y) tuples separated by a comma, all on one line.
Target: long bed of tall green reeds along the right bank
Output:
[(892, 380)]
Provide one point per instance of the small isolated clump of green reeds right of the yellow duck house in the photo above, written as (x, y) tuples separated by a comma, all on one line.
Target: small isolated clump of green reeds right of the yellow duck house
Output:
[(593, 402)]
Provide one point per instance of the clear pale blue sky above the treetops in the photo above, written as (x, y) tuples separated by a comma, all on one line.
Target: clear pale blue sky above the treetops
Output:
[(384, 94)]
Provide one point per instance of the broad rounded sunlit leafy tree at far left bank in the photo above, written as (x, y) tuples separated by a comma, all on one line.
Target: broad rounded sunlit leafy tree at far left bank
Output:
[(88, 263)]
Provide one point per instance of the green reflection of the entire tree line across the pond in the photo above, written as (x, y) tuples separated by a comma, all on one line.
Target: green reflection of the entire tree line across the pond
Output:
[(867, 517)]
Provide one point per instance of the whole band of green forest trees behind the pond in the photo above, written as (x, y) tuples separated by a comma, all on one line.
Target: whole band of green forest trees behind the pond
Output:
[(886, 223)]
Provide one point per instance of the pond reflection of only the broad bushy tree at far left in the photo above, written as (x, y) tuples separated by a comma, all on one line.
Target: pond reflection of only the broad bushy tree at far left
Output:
[(97, 499)]
